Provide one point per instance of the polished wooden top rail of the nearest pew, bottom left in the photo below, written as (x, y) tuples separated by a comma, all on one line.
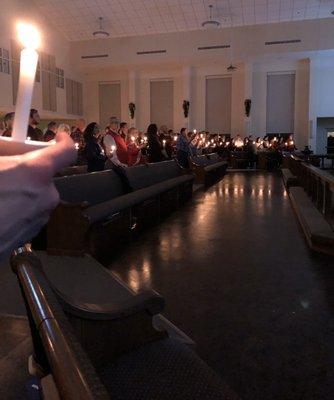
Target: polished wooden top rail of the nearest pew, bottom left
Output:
[(74, 376)]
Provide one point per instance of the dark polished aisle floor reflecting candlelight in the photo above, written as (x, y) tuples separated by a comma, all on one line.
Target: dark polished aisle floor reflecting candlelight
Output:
[(239, 278)]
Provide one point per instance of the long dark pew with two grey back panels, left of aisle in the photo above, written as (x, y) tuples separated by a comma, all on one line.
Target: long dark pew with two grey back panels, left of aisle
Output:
[(98, 211)]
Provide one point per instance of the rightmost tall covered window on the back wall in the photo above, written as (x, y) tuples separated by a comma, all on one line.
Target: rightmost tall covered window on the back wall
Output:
[(280, 102)]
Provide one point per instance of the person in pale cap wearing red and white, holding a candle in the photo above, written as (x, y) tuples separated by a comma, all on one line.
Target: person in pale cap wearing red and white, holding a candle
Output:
[(114, 145)]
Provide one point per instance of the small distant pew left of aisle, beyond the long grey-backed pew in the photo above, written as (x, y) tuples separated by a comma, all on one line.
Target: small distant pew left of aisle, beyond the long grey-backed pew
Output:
[(208, 168)]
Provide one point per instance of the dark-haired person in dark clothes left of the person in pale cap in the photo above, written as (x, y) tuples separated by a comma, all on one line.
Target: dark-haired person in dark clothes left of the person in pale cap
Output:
[(94, 152)]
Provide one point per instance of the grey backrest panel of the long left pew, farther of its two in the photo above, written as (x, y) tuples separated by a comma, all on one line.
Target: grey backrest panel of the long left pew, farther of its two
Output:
[(142, 176)]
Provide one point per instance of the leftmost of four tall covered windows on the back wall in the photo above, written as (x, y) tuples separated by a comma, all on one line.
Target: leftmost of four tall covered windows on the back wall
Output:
[(110, 101)]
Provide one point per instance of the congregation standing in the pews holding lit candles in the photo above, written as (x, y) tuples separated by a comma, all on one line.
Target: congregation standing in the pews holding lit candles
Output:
[(122, 146)]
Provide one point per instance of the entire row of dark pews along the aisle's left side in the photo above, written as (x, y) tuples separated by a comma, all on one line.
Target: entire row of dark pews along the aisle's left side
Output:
[(94, 337)]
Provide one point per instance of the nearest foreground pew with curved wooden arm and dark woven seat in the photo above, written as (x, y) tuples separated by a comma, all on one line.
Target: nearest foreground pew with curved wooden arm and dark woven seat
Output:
[(97, 343)]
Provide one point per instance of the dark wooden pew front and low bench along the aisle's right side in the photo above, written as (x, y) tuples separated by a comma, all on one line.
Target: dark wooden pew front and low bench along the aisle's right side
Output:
[(311, 192)]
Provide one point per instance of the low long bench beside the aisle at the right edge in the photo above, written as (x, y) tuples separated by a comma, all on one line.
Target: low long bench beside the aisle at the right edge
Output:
[(319, 234)]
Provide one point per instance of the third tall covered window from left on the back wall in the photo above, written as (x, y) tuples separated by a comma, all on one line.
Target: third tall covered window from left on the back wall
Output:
[(218, 104)]
